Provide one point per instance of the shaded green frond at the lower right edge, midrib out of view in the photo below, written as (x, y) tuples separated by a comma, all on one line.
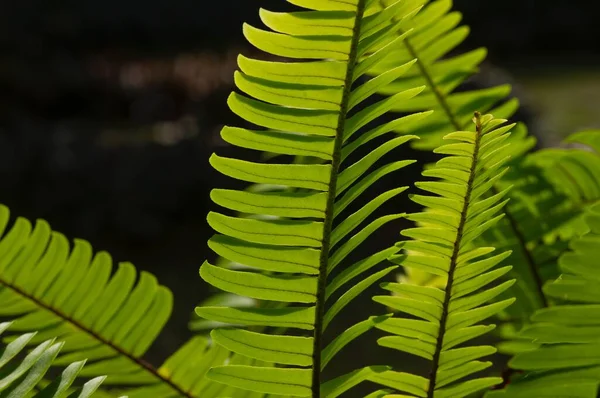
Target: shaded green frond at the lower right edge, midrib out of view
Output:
[(566, 360)]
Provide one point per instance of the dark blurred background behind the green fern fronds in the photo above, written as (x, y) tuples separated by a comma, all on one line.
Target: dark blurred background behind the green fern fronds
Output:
[(109, 111)]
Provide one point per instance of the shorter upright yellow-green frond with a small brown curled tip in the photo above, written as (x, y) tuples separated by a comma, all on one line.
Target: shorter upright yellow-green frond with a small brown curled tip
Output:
[(443, 245)]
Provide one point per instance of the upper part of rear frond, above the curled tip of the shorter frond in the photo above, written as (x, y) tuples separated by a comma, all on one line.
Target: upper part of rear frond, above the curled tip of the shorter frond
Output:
[(436, 32)]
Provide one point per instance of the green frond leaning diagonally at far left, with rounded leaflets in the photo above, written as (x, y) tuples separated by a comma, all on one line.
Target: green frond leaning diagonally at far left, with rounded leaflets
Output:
[(106, 318)]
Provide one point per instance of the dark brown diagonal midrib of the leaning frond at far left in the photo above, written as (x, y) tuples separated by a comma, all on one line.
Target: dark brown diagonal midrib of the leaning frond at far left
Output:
[(138, 361)]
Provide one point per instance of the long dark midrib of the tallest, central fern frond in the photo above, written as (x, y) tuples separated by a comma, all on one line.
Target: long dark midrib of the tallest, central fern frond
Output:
[(330, 209)]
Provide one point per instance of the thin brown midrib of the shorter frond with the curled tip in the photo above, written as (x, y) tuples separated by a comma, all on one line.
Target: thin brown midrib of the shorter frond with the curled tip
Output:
[(454, 261)]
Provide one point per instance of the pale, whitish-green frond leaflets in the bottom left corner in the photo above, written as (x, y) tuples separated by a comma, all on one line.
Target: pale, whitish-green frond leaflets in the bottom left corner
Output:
[(22, 375)]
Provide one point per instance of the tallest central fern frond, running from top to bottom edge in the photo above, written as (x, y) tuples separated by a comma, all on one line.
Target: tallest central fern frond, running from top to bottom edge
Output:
[(293, 241)]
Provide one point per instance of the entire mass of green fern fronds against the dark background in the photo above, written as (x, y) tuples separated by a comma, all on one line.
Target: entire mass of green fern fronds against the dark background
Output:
[(500, 217)]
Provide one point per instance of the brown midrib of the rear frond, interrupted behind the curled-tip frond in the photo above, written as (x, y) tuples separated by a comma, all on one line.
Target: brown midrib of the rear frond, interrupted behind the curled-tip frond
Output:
[(532, 266)]
